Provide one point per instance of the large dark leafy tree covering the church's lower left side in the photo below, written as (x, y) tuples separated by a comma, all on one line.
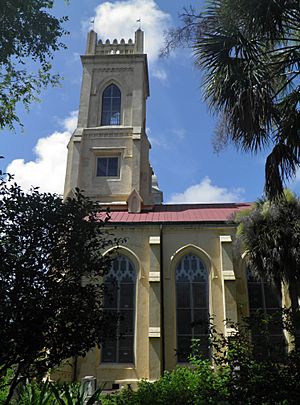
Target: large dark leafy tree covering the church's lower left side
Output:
[(51, 291)]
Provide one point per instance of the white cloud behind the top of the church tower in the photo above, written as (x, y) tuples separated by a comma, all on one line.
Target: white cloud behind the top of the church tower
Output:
[(119, 20)]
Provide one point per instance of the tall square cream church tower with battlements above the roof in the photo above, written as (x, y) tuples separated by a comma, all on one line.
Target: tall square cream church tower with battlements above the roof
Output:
[(108, 154)]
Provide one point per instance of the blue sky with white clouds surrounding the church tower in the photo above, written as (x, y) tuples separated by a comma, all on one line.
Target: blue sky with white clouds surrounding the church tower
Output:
[(180, 127)]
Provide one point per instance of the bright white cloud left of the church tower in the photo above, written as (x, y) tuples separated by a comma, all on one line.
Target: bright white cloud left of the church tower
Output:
[(47, 171)]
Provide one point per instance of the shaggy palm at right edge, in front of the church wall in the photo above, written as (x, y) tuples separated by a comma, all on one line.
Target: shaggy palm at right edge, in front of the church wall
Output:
[(270, 235)]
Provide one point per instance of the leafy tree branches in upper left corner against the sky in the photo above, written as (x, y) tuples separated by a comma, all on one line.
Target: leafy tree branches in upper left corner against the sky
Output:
[(29, 36)]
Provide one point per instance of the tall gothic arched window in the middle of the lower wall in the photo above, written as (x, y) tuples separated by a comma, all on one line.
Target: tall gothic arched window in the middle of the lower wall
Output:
[(192, 305)]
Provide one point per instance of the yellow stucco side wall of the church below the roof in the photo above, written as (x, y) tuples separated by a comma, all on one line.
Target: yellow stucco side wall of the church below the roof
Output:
[(143, 249)]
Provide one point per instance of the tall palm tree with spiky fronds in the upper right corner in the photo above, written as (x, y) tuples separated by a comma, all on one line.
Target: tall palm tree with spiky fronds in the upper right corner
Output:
[(250, 55)]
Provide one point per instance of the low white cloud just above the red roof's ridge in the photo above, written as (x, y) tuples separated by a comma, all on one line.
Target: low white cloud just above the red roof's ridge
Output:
[(206, 192)]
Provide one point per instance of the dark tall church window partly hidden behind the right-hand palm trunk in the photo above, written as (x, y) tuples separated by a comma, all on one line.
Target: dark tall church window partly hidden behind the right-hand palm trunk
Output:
[(265, 299)]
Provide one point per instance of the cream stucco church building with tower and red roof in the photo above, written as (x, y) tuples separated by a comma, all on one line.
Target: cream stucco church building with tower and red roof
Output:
[(176, 269)]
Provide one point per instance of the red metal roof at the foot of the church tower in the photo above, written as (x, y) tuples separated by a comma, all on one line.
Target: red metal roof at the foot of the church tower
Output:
[(187, 213)]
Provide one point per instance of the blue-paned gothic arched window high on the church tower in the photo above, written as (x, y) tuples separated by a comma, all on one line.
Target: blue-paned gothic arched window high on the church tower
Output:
[(111, 106)]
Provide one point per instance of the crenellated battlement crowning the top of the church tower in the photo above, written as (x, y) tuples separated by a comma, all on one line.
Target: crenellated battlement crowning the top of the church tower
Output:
[(98, 47)]
